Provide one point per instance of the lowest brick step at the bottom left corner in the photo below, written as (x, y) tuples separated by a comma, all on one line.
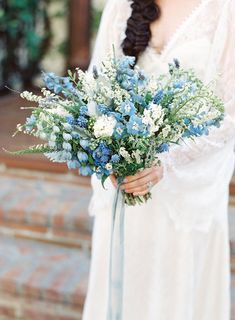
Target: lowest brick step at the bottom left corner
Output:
[(41, 281)]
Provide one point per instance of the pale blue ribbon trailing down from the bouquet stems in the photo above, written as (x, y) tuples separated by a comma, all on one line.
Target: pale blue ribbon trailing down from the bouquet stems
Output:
[(116, 258)]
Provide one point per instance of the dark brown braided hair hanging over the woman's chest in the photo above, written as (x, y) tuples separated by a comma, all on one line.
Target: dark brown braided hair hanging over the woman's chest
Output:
[(138, 31)]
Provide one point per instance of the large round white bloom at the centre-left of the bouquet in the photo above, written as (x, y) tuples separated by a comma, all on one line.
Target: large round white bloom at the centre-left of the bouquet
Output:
[(104, 126)]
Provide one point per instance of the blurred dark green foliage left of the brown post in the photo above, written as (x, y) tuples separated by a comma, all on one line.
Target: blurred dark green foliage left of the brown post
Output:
[(25, 36)]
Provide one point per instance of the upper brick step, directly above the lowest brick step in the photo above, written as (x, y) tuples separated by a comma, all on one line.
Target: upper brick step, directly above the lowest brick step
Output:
[(47, 207)]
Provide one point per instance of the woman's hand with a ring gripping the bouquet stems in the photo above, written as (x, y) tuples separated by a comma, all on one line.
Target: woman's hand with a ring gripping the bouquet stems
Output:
[(138, 184)]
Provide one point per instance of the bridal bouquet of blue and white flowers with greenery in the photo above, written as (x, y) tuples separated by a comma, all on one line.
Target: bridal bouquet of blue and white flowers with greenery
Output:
[(116, 119)]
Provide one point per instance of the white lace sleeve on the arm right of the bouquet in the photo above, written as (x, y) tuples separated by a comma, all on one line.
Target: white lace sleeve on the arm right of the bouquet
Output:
[(222, 60)]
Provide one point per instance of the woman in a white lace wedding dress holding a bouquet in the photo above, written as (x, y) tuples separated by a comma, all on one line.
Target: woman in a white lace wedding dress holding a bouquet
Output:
[(176, 245)]
